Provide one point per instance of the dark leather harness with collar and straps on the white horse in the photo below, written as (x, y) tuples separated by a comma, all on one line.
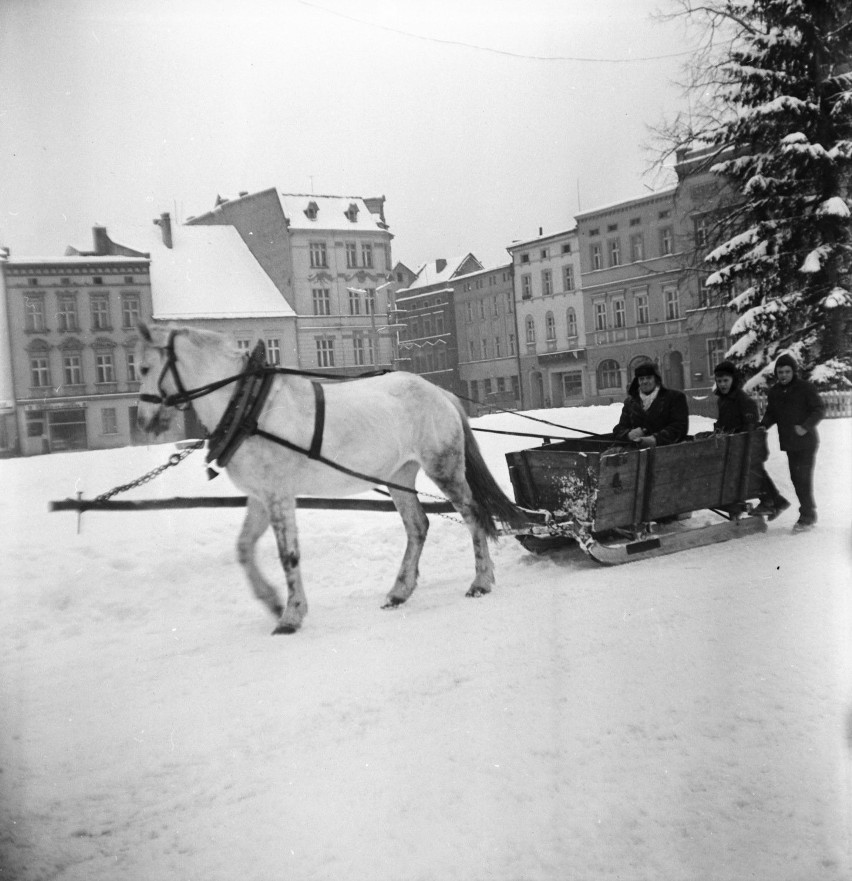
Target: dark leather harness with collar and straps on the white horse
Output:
[(240, 419)]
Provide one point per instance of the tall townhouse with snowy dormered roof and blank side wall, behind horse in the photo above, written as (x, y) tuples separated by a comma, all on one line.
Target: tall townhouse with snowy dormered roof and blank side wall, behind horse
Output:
[(330, 259)]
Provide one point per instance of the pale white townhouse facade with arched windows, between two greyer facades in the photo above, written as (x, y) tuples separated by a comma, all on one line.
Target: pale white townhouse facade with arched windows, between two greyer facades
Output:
[(551, 319)]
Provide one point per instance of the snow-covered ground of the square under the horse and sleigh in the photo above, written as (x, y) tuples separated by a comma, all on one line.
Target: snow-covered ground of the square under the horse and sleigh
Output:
[(686, 717)]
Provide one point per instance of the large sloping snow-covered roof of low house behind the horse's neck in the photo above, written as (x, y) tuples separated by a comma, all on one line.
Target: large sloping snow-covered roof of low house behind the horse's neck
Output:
[(208, 273)]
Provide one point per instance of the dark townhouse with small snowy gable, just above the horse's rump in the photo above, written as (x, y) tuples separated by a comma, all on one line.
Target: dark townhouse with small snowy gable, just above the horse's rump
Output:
[(426, 313)]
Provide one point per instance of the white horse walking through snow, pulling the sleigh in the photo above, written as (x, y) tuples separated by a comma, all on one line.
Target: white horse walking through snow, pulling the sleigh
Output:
[(386, 427)]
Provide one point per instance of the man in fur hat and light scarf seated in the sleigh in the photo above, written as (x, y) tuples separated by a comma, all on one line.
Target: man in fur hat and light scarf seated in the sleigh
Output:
[(652, 415)]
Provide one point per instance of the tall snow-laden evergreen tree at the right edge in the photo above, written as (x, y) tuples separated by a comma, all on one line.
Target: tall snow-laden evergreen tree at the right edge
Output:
[(777, 109)]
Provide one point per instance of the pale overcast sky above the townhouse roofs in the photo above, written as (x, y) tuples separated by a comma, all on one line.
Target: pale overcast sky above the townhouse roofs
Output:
[(112, 111)]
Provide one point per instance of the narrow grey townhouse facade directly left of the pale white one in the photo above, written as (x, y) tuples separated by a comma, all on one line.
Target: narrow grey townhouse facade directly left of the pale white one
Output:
[(487, 327)]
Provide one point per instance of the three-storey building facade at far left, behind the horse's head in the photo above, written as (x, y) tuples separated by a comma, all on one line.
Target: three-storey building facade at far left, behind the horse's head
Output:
[(72, 325)]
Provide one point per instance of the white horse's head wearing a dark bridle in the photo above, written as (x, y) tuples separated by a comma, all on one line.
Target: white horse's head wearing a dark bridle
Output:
[(159, 380)]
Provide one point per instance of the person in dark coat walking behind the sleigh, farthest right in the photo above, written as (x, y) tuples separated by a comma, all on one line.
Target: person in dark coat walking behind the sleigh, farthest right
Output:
[(794, 405)]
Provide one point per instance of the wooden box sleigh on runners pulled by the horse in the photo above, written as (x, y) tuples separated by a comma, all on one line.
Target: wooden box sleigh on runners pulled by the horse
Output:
[(620, 503)]
